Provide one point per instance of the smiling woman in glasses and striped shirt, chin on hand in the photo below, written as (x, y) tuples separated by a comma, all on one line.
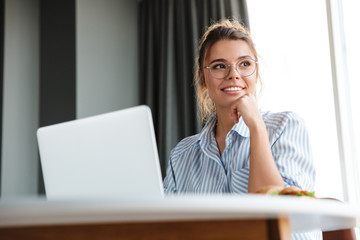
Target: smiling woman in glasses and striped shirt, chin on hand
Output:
[(240, 149)]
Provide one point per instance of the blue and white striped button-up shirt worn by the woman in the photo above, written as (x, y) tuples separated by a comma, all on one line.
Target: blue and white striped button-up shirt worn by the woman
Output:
[(196, 166)]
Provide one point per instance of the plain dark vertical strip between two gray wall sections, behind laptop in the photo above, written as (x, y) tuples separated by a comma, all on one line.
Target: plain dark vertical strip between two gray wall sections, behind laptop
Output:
[(57, 92)]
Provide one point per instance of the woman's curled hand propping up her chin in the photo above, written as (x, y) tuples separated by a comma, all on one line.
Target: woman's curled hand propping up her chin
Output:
[(246, 106)]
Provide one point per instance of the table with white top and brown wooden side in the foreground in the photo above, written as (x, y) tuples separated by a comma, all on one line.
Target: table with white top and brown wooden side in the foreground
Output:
[(184, 217)]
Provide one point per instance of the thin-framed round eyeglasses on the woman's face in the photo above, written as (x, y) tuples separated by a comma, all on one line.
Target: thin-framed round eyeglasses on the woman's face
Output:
[(245, 67)]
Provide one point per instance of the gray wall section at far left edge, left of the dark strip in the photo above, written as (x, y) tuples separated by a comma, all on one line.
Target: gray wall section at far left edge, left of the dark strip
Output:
[(21, 83)]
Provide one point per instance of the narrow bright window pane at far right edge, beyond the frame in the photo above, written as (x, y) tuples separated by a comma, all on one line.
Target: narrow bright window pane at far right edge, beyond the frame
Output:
[(345, 51)]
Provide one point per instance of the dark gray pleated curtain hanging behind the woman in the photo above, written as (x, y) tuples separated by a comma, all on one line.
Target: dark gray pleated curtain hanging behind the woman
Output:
[(169, 32)]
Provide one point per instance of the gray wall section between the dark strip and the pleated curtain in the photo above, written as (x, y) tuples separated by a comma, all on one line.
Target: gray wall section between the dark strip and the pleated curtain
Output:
[(107, 56)]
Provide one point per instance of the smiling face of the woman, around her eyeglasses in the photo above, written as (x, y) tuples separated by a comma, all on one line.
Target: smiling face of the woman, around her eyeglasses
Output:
[(226, 90)]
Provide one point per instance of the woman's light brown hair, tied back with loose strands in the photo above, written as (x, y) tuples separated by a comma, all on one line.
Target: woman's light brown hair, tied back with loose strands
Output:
[(222, 30)]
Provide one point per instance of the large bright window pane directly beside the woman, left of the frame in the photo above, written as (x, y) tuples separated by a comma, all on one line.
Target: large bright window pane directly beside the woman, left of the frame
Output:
[(292, 39)]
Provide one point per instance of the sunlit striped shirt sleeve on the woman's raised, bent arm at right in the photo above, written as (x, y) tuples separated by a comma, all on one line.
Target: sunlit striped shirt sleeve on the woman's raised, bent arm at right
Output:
[(292, 153)]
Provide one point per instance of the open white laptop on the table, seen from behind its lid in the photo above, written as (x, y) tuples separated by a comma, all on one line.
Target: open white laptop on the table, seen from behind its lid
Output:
[(112, 155)]
